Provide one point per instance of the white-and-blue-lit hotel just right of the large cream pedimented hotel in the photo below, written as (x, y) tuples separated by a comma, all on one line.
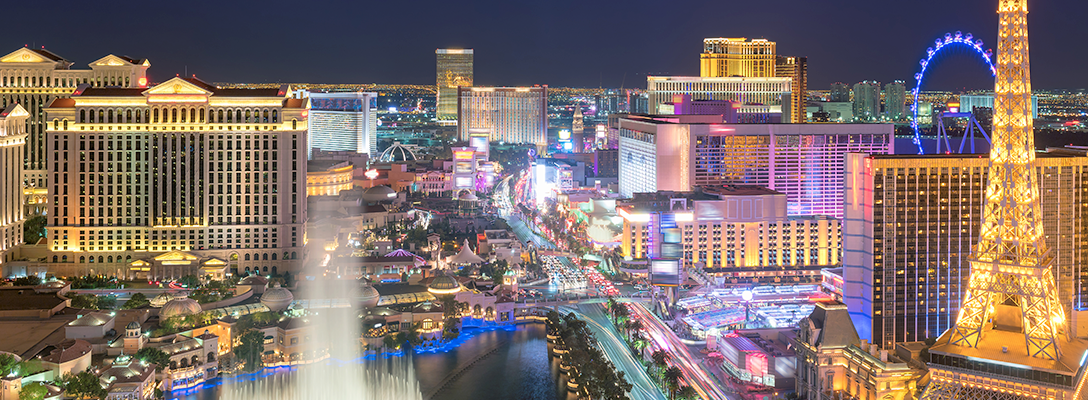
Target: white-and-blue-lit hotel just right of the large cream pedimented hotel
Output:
[(345, 121)]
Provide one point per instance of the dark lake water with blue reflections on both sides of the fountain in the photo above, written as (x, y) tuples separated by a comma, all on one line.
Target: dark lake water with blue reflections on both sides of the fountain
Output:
[(505, 364)]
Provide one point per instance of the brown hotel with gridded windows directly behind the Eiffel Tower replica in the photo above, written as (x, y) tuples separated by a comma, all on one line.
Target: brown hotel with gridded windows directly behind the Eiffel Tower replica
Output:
[(909, 224)]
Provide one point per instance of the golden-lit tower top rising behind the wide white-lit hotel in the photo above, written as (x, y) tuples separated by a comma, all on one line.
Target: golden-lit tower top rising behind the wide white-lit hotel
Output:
[(737, 57)]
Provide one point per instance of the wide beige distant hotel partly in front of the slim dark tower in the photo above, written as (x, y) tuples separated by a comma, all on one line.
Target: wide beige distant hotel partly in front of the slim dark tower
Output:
[(514, 116)]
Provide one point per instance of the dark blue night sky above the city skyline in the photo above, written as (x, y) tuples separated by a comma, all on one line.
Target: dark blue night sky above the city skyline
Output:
[(583, 44)]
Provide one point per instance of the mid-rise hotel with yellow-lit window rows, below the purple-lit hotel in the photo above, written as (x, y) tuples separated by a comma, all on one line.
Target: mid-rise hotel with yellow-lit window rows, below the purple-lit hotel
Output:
[(740, 235)]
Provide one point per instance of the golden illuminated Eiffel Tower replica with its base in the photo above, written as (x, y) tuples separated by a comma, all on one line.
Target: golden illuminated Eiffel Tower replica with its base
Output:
[(1011, 340)]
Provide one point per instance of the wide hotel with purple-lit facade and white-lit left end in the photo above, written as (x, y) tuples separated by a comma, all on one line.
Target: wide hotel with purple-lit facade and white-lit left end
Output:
[(805, 161)]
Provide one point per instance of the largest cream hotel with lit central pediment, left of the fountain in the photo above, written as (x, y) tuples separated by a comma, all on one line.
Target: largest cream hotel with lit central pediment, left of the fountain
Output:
[(183, 166)]
